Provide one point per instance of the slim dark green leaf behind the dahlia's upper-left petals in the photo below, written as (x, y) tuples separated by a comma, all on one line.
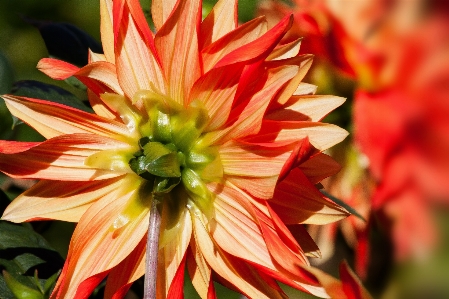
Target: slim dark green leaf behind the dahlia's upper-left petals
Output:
[(43, 91)]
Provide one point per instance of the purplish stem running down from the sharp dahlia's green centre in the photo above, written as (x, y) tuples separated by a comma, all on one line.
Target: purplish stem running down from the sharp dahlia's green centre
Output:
[(152, 251)]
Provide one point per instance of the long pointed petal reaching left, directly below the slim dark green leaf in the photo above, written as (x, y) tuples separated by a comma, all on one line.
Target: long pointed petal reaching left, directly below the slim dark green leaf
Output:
[(52, 119)]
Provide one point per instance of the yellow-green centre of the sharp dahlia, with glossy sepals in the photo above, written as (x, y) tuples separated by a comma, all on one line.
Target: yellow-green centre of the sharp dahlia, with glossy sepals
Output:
[(170, 154)]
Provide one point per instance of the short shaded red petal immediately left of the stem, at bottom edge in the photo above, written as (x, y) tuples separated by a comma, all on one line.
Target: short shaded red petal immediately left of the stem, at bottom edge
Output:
[(126, 272)]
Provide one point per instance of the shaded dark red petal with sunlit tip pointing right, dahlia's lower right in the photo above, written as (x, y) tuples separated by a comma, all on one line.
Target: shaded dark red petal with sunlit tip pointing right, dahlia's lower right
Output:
[(296, 200)]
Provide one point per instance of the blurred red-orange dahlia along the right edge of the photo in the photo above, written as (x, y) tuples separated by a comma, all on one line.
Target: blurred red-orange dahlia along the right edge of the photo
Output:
[(410, 161)]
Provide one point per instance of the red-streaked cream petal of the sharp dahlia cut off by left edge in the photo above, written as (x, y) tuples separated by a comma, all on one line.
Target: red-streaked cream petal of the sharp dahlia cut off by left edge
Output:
[(62, 157)]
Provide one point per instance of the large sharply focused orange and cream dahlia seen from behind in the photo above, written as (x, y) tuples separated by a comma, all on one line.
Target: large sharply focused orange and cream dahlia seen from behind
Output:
[(209, 119)]
